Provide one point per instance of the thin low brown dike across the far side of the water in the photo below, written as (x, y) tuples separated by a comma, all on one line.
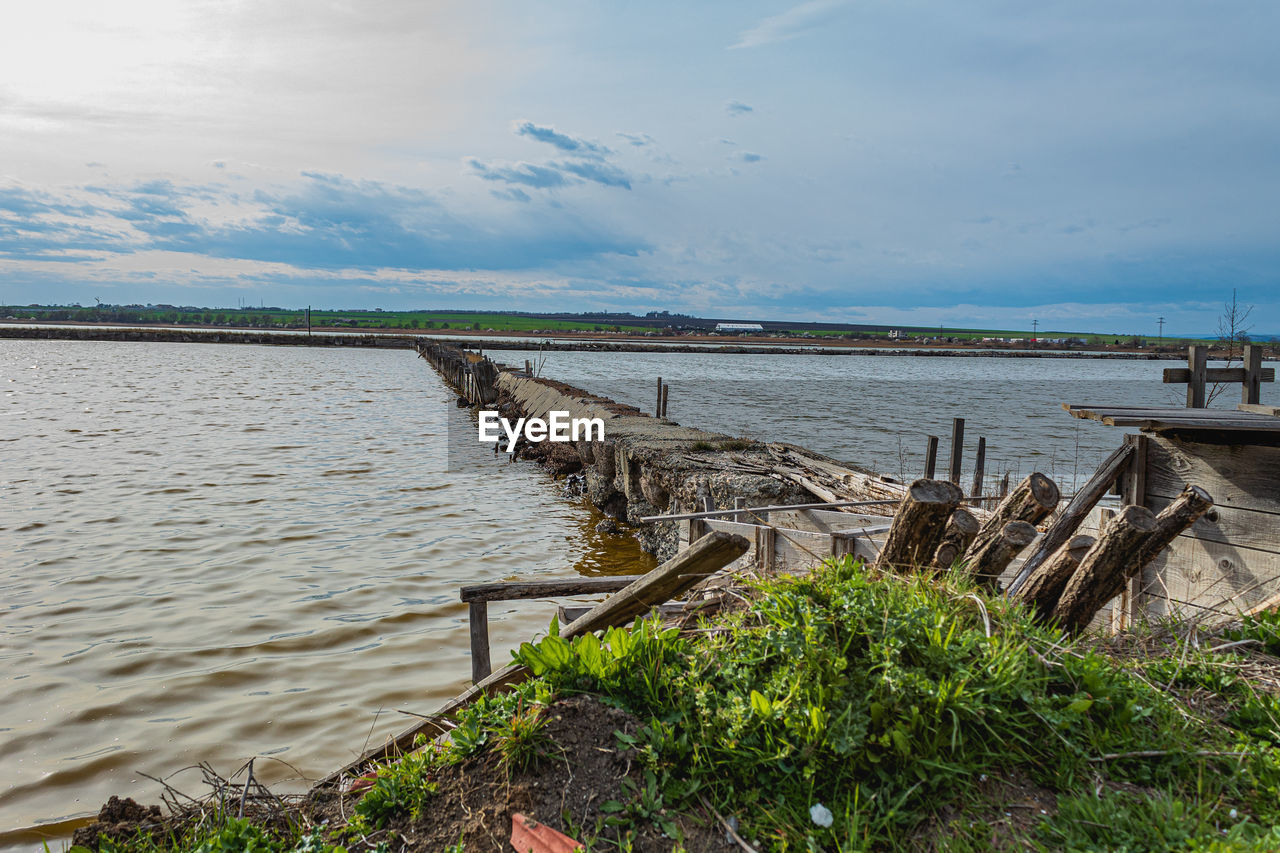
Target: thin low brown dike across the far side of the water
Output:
[(568, 343)]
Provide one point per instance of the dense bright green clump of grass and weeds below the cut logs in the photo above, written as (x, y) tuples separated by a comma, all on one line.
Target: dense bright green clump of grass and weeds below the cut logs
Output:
[(886, 701)]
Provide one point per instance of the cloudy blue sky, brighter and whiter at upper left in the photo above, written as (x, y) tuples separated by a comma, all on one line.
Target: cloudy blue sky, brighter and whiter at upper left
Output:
[(1091, 166)]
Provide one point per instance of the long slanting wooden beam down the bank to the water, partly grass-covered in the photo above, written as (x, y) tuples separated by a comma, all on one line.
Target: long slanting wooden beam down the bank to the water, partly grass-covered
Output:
[(705, 558)]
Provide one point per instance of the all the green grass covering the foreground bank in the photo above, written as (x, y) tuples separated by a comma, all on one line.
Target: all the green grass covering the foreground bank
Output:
[(848, 711)]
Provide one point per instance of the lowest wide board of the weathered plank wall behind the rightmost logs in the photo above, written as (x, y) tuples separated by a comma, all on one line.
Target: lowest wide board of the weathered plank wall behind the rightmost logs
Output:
[(1199, 578)]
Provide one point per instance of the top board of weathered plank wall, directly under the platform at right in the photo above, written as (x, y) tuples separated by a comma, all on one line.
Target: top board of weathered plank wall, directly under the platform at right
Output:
[(1237, 476)]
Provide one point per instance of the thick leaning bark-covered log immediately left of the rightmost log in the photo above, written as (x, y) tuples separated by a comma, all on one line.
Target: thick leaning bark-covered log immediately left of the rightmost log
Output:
[(1104, 569)]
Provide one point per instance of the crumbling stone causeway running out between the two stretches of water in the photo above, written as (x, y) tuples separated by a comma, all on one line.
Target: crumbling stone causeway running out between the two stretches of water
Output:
[(646, 466)]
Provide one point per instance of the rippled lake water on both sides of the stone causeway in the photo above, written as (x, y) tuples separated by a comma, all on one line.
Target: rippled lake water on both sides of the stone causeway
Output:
[(214, 553)]
